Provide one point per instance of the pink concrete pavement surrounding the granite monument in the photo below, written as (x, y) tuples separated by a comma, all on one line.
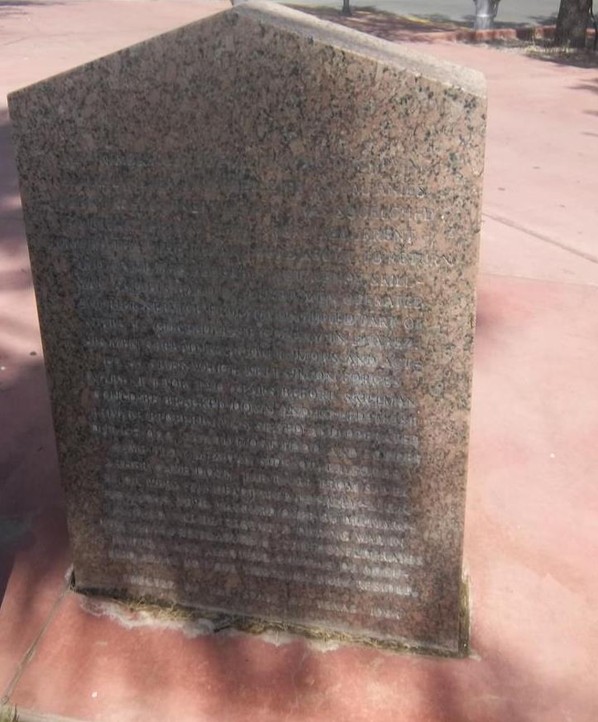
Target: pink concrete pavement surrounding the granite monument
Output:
[(532, 521)]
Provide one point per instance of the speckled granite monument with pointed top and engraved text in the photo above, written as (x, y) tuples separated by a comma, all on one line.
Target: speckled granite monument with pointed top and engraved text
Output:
[(254, 242)]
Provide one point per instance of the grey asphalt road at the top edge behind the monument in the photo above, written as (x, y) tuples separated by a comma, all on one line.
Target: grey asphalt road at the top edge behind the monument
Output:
[(509, 11)]
